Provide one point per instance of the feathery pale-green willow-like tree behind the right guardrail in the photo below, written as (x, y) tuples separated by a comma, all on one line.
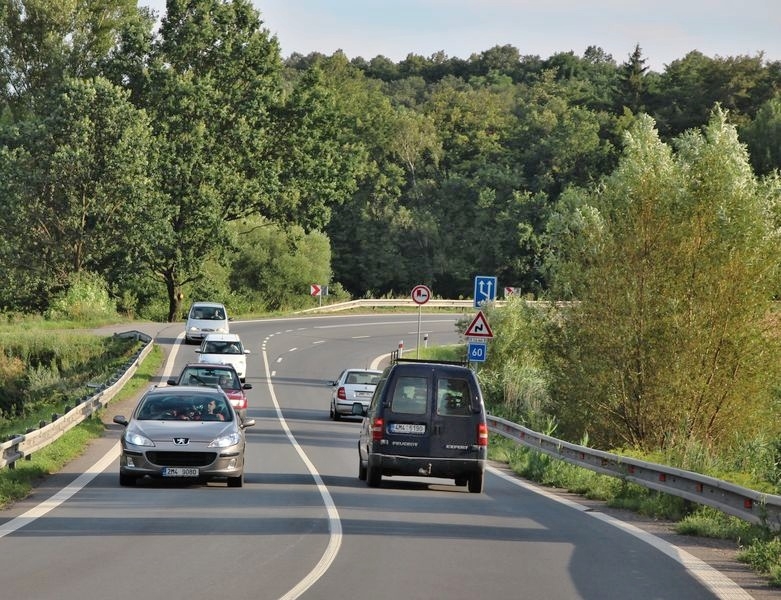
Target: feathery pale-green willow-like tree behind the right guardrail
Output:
[(669, 340)]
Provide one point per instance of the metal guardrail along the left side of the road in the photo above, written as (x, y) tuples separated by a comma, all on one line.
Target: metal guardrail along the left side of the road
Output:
[(22, 446)]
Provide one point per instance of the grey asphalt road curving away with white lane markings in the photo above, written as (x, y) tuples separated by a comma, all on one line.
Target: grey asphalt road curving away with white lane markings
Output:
[(303, 525)]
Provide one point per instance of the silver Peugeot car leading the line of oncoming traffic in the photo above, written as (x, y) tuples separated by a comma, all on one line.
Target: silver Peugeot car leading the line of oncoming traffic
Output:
[(183, 432)]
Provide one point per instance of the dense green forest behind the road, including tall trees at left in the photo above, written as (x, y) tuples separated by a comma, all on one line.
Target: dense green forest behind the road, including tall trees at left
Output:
[(190, 160)]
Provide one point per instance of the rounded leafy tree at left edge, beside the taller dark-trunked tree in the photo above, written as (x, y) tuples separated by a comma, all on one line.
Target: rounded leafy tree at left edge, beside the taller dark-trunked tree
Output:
[(75, 190)]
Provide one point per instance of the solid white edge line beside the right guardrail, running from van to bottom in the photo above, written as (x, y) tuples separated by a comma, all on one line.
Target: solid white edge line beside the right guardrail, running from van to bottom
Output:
[(718, 583)]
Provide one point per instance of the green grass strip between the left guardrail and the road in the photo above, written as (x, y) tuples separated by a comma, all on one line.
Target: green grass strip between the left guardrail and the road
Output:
[(16, 484)]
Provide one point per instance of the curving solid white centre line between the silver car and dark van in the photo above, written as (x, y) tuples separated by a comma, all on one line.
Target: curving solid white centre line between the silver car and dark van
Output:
[(334, 522)]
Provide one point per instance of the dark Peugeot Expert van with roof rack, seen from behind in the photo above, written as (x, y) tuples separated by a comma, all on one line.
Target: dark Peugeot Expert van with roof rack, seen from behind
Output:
[(426, 418)]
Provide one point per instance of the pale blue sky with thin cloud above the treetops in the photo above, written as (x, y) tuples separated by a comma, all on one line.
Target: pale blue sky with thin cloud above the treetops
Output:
[(666, 30)]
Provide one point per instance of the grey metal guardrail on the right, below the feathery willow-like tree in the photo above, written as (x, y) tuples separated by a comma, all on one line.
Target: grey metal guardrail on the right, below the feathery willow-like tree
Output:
[(749, 505)]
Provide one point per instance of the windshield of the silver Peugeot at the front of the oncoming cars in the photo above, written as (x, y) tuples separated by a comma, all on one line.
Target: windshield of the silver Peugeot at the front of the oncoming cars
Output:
[(192, 407)]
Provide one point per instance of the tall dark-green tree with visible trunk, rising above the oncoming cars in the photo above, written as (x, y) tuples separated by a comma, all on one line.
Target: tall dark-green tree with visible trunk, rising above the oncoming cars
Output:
[(231, 142)]
